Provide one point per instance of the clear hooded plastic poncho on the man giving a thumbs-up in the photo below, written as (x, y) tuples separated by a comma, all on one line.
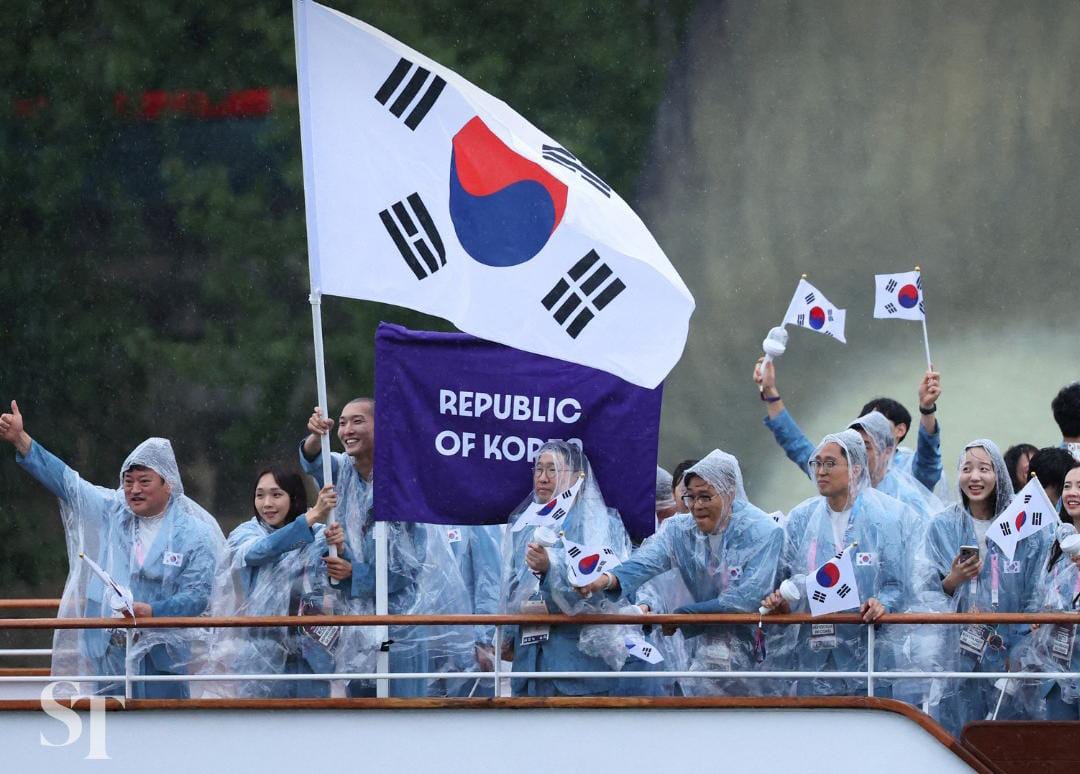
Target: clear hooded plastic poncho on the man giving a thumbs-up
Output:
[(175, 578)]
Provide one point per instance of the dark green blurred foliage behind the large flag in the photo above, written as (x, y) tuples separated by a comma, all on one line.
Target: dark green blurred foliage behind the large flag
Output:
[(153, 274)]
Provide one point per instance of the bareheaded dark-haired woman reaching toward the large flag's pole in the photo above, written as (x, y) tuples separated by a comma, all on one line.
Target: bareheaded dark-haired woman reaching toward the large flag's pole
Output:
[(275, 567)]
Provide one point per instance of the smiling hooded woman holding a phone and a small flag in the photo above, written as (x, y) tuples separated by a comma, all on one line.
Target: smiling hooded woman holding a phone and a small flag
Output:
[(984, 581)]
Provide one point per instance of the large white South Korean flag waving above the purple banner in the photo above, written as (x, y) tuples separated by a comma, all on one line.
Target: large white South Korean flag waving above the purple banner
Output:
[(425, 192)]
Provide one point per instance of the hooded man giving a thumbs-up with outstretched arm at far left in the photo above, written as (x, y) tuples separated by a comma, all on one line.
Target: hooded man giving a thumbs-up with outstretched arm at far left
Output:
[(152, 540)]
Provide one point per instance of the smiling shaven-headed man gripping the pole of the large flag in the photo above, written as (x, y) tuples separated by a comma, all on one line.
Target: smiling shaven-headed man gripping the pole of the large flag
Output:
[(423, 574)]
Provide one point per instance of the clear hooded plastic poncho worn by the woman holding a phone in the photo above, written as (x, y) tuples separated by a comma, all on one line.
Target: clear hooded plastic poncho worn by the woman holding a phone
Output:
[(1002, 587)]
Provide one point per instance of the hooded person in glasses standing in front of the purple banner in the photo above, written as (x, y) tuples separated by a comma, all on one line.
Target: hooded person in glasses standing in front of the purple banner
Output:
[(536, 580)]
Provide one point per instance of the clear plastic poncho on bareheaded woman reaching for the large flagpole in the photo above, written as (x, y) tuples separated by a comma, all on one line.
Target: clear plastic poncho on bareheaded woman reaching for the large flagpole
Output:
[(261, 578)]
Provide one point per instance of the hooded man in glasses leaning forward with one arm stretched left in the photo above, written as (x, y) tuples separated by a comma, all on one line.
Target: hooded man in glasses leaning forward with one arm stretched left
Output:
[(726, 551)]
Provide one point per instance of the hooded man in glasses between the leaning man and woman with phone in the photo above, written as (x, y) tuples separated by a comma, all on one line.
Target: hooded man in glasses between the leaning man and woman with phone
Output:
[(847, 511)]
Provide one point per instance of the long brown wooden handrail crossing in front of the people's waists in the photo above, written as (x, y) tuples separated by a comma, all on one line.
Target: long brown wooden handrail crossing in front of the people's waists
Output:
[(259, 621)]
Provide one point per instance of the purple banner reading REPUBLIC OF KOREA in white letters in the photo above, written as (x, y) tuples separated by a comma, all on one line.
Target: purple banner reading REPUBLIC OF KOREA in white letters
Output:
[(460, 422)]
